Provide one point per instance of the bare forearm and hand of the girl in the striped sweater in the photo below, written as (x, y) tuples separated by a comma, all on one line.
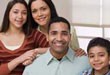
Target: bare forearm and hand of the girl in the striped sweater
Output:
[(29, 55)]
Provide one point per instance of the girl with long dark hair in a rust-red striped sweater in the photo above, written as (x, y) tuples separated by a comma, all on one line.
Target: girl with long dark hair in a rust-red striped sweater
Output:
[(17, 39)]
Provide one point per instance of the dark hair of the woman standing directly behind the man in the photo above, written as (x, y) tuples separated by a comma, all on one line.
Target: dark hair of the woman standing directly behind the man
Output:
[(52, 9)]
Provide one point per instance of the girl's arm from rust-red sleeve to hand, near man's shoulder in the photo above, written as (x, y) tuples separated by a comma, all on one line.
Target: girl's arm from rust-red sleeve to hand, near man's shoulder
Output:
[(5, 69)]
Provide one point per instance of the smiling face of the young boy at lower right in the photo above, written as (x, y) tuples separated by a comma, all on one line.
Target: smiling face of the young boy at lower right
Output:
[(99, 58)]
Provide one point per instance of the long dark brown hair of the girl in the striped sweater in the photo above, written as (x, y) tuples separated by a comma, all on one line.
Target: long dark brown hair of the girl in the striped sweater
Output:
[(5, 23)]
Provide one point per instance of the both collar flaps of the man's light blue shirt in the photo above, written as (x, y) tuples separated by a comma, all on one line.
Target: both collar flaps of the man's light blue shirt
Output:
[(69, 56)]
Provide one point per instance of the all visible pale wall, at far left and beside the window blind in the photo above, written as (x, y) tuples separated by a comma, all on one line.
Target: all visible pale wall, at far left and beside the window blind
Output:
[(63, 8)]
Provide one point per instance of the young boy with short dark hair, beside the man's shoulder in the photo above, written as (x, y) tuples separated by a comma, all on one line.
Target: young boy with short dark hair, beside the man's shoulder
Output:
[(99, 55)]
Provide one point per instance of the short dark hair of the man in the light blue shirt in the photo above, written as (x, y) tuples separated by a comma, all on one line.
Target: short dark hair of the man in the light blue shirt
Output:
[(59, 19)]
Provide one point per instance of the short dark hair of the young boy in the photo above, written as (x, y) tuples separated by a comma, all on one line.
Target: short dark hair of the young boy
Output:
[(98, 41)]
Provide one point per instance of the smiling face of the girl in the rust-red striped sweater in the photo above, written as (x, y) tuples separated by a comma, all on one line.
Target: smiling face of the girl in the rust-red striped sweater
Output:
[(18, 15)]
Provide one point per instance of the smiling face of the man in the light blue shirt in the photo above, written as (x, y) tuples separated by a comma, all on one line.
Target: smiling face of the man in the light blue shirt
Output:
[(59, 37)]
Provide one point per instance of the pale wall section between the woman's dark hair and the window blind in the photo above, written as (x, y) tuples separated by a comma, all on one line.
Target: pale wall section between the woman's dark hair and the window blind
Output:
[(64, 8)]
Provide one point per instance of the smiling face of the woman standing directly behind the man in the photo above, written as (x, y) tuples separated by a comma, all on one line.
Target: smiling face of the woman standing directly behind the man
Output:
[(41, 12)]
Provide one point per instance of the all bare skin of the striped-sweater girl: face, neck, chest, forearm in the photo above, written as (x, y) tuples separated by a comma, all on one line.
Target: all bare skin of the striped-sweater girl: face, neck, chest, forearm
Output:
[(17, 17)]
